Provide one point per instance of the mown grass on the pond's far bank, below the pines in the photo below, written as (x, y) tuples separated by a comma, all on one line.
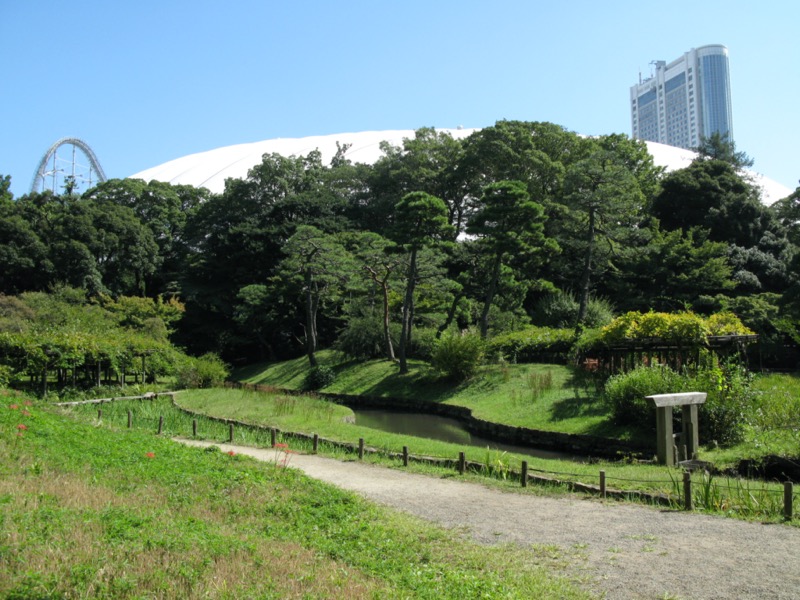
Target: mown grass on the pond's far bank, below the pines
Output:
[(546, 397)]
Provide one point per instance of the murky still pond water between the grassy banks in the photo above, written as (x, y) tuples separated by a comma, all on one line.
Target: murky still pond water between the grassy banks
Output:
[(443, 429)]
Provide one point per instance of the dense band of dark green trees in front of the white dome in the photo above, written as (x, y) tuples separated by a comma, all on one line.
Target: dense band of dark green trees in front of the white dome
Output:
[(519, 223)]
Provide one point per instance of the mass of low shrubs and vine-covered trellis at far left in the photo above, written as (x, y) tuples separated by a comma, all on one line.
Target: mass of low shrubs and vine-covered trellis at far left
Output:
[(63, 340)]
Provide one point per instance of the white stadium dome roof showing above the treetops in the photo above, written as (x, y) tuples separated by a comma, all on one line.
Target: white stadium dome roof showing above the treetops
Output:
[(210, 169)]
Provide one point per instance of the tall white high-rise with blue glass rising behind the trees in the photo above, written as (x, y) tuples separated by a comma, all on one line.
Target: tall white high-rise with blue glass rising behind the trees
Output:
[(685, 100)]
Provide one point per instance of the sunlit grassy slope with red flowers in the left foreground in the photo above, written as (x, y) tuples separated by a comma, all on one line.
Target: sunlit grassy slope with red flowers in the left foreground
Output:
[(99, 511)]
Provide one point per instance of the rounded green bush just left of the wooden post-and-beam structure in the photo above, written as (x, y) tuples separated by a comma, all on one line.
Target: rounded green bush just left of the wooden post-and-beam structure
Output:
[(624, 394)]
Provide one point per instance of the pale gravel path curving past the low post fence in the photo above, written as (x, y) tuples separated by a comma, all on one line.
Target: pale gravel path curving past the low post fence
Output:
[(625, 551)]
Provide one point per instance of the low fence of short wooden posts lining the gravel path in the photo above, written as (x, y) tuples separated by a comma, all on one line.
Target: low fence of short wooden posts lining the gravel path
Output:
[(683, 488)]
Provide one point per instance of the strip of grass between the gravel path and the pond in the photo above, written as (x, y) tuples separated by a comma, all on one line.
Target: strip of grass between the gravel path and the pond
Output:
[(735, 497)]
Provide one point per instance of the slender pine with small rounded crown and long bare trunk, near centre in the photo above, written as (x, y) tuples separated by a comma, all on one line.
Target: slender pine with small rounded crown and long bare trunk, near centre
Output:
[(420, 220)]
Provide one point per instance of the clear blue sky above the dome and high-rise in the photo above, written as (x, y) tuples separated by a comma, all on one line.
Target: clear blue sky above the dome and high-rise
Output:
[(148, 81)]
